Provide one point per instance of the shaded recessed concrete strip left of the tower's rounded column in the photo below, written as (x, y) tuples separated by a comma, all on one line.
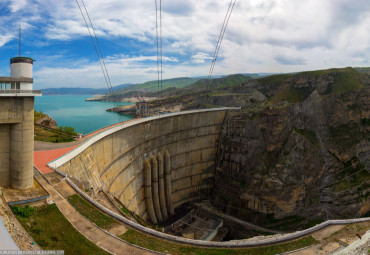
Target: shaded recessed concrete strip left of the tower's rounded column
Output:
[(4, 155)]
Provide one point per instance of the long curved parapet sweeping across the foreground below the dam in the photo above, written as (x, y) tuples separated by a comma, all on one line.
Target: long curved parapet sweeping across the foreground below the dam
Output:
[(209, 244)]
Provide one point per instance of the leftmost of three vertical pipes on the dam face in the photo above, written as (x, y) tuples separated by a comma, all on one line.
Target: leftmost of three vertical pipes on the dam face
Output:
[(148, 192)]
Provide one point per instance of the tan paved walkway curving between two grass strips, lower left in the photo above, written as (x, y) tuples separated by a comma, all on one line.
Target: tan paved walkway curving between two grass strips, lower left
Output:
[(86, 228)]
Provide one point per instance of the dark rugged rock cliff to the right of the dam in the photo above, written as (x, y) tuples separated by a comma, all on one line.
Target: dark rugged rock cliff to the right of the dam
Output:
[(309, 158)]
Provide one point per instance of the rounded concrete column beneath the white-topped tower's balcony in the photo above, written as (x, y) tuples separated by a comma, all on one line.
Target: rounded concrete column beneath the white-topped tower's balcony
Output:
[(21, 148)]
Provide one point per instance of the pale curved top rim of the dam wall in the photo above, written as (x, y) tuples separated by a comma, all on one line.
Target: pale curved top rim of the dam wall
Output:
[(73, 153)]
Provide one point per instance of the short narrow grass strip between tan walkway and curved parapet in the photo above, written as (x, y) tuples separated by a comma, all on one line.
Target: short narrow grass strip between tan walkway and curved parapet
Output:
[(90, 212)]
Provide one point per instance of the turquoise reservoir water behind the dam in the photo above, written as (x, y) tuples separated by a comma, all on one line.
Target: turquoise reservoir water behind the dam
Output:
[(74, 111)]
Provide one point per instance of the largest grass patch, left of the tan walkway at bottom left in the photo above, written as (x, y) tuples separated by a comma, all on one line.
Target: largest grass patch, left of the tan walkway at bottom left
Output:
[(51, 230)]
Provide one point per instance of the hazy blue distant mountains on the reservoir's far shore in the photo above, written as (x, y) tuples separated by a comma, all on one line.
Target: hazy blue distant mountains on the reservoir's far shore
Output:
[(81, 91)]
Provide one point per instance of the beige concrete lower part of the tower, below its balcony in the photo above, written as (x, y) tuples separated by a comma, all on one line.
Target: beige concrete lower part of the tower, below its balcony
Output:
[(16, 142)]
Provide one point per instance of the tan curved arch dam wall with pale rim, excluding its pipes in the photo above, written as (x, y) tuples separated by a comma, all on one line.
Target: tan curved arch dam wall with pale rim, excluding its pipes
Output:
[(114, 159)]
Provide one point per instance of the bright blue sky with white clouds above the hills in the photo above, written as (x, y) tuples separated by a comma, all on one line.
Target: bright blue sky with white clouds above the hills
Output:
[(263, 36)]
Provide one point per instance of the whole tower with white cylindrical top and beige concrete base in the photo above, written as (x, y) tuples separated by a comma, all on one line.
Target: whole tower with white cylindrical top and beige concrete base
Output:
[(16, 125)]
